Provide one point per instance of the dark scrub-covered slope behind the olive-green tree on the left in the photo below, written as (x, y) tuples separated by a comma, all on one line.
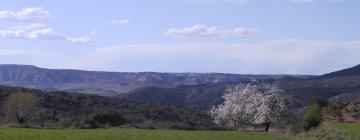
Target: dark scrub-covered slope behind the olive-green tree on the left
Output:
[(75, 109)]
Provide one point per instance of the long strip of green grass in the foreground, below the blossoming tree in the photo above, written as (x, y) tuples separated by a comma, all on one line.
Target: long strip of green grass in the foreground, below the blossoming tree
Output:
[(133, 134)]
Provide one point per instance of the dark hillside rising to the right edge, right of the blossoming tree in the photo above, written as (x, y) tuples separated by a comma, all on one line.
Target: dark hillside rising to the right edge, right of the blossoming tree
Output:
[(342, 85)]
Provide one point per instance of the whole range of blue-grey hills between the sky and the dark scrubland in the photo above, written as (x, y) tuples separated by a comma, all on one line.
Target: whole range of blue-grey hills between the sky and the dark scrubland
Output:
[(191, 89)]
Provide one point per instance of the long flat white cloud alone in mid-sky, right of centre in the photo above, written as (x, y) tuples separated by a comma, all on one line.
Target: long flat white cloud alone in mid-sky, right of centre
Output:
[(213, 31)]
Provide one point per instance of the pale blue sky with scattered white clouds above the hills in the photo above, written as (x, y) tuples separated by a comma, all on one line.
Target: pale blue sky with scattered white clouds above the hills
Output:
[(221, 36)]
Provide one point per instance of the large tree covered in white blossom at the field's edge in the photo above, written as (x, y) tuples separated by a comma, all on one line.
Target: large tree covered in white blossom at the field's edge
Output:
[(250, 105)]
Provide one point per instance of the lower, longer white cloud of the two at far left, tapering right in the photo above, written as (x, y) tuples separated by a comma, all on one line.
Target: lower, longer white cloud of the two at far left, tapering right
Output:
[(38, 32)]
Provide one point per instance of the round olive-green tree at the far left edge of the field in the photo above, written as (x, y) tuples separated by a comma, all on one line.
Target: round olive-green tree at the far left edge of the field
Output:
[(20, 107)]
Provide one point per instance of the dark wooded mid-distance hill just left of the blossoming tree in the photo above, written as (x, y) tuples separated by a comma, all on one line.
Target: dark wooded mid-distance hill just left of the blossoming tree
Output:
[(198, 95)]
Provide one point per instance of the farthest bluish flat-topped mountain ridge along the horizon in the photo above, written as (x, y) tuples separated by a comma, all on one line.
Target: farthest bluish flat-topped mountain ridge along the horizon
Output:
[(110, 83)]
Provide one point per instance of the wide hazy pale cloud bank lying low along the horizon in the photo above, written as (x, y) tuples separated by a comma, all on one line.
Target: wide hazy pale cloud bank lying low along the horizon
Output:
[(291, 56)]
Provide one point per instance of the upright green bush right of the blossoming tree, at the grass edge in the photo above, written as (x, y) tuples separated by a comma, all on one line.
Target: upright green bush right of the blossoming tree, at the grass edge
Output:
[(312, 117)]
